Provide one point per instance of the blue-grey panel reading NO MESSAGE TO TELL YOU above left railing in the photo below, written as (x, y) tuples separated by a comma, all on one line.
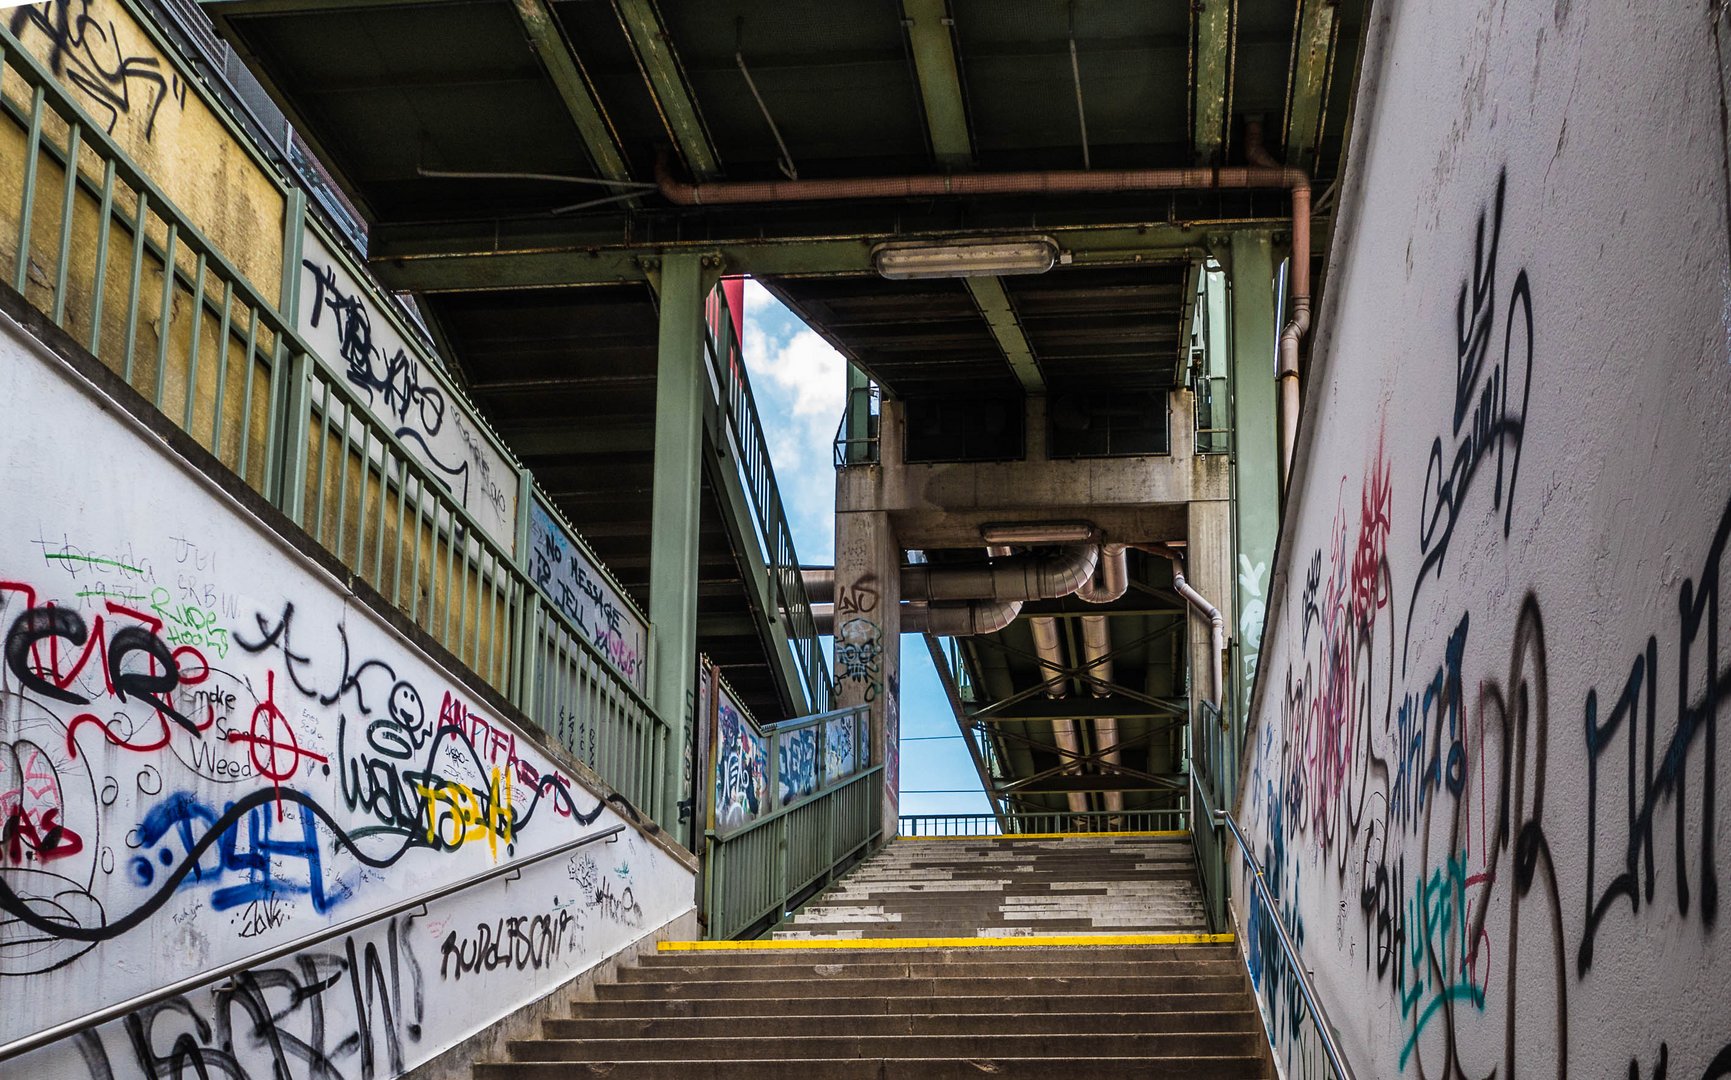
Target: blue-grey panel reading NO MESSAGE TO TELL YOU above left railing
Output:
[(582, 593)]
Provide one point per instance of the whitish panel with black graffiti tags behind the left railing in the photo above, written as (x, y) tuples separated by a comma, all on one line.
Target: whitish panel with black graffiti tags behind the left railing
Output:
[(404, 390)]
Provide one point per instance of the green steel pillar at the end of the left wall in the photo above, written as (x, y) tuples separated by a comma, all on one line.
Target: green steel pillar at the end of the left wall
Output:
[(674, 520)]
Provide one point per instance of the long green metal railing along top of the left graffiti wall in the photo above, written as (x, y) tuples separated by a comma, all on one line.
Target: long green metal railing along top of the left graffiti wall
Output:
[(113, 262)]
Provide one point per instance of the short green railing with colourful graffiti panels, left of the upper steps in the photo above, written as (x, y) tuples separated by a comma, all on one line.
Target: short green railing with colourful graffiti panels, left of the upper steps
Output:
[(795, 845)]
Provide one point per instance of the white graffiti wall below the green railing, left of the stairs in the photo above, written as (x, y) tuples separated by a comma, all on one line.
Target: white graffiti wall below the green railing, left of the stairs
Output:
[(210, 749)]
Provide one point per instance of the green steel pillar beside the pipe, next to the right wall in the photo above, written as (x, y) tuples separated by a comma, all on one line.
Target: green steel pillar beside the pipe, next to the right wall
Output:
[(1256, 453)]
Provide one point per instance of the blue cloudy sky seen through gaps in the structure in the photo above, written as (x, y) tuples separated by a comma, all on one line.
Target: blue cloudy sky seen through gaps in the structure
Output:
[(801, 385)]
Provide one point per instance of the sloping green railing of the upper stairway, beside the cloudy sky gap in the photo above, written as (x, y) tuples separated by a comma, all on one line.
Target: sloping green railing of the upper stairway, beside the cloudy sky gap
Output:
[(776, 537)]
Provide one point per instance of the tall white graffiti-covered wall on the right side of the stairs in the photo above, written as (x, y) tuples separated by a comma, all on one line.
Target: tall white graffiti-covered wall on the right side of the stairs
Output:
[(1486, 768)]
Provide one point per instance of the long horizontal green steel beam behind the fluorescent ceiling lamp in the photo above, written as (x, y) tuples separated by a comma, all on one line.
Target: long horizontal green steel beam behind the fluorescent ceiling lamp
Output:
[(435, 262)]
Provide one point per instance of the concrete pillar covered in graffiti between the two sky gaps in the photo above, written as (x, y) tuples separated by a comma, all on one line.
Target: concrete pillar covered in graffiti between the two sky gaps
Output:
[(868, 659)]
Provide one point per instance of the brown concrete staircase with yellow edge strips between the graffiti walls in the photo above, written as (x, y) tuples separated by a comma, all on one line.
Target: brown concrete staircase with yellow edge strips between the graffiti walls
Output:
[(844, 1008)]
